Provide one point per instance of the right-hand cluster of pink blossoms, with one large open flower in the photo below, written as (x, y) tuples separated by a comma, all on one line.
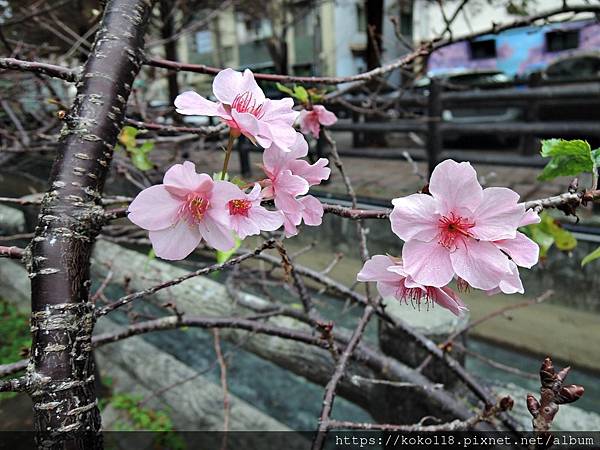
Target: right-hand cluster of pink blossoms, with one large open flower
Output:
[(461, 231)]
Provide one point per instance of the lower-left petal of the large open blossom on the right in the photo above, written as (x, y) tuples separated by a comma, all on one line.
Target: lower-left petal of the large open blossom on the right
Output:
[(428, 263)]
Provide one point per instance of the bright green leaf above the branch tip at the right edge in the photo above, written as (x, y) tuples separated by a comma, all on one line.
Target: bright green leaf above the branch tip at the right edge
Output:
[(568, 158)]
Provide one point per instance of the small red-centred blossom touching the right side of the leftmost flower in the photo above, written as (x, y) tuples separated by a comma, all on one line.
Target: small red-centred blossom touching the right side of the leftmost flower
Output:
[(248, 217)]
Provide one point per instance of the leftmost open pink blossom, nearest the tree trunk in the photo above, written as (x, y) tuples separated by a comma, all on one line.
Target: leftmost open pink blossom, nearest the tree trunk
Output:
[(185, 209)]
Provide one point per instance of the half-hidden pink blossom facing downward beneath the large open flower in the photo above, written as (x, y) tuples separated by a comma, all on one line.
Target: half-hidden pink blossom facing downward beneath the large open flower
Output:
[(393, 281)]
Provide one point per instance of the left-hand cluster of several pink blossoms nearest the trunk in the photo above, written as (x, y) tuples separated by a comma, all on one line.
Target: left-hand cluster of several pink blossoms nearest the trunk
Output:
[(189, 207)]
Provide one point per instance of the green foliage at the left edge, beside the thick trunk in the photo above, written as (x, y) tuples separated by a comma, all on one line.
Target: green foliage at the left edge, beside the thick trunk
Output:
[(15, 338)]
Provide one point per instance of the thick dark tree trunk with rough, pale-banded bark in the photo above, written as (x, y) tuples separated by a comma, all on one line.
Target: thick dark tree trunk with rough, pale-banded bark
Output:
[(61, 372)]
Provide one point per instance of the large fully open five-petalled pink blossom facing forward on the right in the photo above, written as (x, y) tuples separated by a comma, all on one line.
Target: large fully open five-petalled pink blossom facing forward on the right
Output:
[(453, 231)]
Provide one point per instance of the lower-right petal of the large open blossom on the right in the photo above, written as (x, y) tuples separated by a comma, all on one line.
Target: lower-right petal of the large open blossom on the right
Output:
[(479, 263)]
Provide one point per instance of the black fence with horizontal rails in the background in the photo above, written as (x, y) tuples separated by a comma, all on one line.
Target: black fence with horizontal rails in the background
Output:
[(544, 113)]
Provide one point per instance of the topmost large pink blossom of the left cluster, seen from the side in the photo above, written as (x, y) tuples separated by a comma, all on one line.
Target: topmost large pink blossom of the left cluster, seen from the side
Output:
[(243, 106)]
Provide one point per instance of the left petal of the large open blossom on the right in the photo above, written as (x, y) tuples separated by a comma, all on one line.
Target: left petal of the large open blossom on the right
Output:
[(415, 217)]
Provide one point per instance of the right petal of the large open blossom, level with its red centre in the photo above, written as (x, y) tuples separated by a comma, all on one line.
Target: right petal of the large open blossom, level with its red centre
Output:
[(498, 215)]
